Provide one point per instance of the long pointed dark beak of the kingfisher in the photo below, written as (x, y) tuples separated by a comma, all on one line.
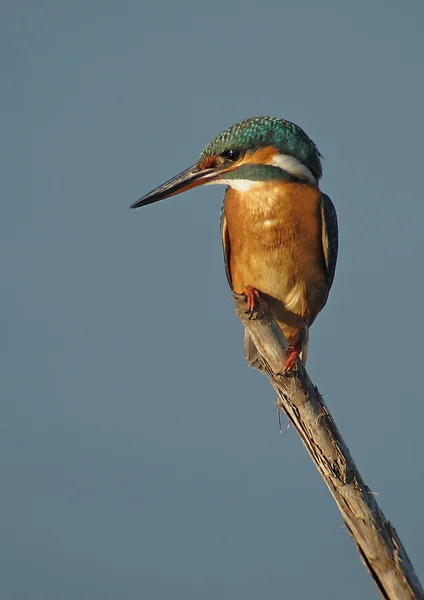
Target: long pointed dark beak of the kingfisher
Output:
[(188, 179)]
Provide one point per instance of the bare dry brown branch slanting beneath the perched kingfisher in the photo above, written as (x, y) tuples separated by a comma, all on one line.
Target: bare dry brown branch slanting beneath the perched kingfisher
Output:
[(376, 539)]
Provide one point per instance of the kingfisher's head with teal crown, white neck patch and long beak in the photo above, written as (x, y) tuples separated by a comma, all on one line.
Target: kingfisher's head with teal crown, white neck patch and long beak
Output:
[(256, 150)]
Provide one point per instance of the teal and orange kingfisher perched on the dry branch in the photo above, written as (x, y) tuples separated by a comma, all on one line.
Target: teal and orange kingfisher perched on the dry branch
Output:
[(279, 230)]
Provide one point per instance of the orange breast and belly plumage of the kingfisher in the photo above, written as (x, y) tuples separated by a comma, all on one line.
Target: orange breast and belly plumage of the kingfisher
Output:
[(275, 241)]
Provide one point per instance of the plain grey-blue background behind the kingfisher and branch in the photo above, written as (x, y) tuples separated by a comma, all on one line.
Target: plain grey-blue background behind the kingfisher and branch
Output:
[(140, 456)]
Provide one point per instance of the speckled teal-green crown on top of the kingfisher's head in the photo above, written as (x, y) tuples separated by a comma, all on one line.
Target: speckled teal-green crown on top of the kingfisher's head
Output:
[(259, 132)]
